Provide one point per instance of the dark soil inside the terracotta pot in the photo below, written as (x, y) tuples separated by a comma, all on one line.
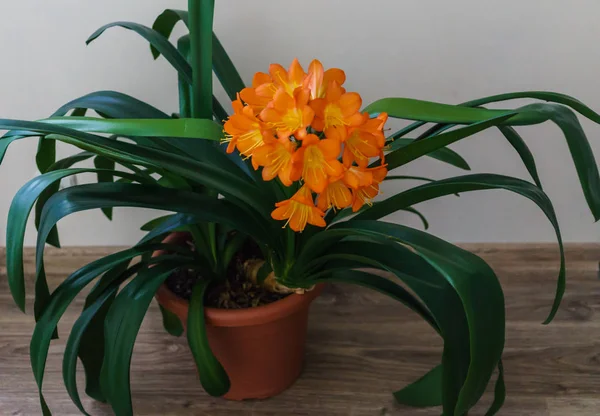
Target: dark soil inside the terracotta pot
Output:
[(236, 292)]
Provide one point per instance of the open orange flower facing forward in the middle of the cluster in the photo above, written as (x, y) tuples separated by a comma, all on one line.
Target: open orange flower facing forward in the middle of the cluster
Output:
[(318, 161)]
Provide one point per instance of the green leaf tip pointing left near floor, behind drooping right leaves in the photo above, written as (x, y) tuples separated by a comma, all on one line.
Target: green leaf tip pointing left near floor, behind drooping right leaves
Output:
[(425, 392)]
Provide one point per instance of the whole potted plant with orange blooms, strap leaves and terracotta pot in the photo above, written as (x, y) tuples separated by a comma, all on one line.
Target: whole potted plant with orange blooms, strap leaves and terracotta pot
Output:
[(266, 205)]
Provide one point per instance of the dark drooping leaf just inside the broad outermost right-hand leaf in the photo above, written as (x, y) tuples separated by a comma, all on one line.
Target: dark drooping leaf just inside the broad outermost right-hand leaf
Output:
[(436, 292)]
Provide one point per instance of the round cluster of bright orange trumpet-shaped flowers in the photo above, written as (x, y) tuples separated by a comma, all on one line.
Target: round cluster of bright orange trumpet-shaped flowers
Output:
[(305, 127)]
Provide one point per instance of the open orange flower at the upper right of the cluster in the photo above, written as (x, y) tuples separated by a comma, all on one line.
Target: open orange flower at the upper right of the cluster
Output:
[(337, 109)]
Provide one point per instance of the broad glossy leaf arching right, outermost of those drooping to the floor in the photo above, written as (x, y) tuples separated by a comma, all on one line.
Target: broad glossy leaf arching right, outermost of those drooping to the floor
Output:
[(476, 285)]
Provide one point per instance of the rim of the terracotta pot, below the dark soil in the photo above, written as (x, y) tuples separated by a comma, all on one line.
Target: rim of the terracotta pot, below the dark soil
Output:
[(246, 316)]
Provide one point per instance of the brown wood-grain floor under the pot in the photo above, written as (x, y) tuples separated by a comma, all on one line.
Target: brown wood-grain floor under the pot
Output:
[(361, 347)]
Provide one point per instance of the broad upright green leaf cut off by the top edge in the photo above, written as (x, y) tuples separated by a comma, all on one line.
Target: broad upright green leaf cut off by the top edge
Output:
[(201, 20)]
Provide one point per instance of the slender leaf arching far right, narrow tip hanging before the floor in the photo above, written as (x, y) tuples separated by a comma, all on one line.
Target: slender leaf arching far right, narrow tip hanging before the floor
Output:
[(469, 183)]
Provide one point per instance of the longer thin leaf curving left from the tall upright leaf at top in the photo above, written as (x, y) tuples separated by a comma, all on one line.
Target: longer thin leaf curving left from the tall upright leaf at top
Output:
[(161, 43)]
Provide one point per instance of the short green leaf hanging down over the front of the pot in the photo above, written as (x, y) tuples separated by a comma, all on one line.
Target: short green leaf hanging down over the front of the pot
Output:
[(213, 377)]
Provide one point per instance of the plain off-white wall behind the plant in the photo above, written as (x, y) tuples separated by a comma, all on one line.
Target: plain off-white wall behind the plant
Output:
[(435, 50)]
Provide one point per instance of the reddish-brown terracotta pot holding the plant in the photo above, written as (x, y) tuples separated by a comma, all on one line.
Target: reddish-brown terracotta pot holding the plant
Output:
[(261, 348)]
